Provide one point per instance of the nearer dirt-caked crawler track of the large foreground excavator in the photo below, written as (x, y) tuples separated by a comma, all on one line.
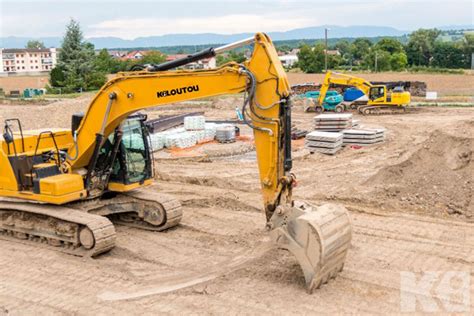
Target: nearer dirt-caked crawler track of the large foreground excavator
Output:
[(56, 227)]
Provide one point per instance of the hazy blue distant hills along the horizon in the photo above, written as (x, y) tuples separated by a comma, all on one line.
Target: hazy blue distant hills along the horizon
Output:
[(316, 32)]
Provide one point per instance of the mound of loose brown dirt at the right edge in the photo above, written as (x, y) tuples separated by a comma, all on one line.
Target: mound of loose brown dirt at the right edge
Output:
[(439, 176)]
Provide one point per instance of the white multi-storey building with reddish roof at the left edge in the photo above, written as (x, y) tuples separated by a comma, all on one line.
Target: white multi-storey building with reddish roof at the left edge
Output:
[(22, 60)]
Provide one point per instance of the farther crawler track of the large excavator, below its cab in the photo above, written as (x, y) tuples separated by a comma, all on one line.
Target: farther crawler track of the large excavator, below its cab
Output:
[(144, 209)]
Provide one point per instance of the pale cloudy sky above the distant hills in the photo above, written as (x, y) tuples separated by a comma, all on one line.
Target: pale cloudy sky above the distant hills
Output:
[(131, 19)]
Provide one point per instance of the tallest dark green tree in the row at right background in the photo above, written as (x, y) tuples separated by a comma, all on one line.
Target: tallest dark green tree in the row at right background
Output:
[(420, 46)]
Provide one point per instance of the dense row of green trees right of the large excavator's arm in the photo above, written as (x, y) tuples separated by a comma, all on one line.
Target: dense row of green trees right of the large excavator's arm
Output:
[(424, 48)]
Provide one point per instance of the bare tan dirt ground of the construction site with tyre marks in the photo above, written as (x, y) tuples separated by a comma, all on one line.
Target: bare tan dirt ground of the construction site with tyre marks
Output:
[(410, 199)]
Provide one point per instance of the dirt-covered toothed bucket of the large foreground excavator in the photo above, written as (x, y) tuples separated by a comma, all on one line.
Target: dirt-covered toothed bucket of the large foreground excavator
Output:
[(318, 236)]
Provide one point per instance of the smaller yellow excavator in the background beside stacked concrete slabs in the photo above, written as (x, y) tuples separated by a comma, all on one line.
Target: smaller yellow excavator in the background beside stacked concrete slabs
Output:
[(380, 100)]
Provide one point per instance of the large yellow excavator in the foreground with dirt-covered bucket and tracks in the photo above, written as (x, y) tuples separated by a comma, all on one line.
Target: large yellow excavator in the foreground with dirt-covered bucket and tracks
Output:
[(63, 188)]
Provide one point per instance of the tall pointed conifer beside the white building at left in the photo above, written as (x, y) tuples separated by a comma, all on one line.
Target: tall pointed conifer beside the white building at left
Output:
[(77, 62)]
